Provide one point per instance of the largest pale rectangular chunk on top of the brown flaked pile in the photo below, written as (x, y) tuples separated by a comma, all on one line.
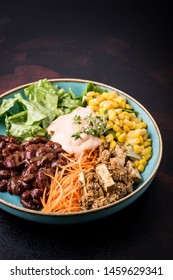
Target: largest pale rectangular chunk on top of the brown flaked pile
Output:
[(106, 177)]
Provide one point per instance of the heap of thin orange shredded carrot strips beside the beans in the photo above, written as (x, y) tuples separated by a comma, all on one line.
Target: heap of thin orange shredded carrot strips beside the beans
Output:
[(64, 193)]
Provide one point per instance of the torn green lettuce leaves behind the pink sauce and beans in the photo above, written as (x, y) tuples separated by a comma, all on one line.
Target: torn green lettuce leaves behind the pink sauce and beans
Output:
[(41, 103)]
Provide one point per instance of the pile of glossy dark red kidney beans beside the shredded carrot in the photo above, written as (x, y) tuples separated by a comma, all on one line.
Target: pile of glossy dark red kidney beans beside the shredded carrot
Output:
[(25, 167)]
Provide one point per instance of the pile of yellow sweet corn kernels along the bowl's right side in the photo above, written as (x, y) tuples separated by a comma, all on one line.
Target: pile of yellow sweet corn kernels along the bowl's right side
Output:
[(124, 124)]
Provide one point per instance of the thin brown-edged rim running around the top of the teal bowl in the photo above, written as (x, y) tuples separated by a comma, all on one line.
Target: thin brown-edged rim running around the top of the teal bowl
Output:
[(143, 185)]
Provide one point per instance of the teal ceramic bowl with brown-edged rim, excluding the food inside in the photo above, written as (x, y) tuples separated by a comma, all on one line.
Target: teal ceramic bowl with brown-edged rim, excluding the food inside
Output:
[(11, 203)]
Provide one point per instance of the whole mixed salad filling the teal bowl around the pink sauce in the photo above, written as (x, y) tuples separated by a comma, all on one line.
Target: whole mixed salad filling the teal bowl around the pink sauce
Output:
[(100, 176)]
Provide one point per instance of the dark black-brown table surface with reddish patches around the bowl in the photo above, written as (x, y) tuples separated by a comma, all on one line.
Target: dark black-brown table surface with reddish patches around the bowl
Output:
[(128, 46)]
